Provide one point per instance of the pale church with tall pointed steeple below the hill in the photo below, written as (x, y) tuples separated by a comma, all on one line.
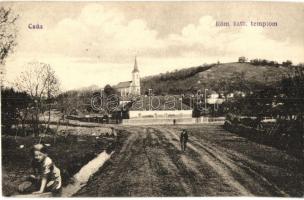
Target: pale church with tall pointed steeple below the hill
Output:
[(127, 88)]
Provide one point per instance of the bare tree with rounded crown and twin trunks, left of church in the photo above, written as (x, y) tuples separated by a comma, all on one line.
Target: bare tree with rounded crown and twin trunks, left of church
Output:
[(40, 82)]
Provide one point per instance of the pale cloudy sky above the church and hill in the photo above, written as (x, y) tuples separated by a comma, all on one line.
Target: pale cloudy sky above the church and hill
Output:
[(96, 43)]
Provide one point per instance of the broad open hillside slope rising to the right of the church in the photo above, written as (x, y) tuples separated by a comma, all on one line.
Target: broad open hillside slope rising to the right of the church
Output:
[(218, 77)]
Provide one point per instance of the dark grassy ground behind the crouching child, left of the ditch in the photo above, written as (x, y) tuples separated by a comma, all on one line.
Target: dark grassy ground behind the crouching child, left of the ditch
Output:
[(69, 152)]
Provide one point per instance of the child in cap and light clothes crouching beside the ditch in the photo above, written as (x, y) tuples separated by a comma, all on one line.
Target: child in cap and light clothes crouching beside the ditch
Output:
[(46, 177)]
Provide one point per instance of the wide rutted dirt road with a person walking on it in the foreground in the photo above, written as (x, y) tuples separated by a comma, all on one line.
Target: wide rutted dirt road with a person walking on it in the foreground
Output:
[(216, 163)]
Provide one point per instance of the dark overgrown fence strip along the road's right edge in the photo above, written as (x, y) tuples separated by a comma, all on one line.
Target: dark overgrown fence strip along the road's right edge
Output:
[(282, 134)]
